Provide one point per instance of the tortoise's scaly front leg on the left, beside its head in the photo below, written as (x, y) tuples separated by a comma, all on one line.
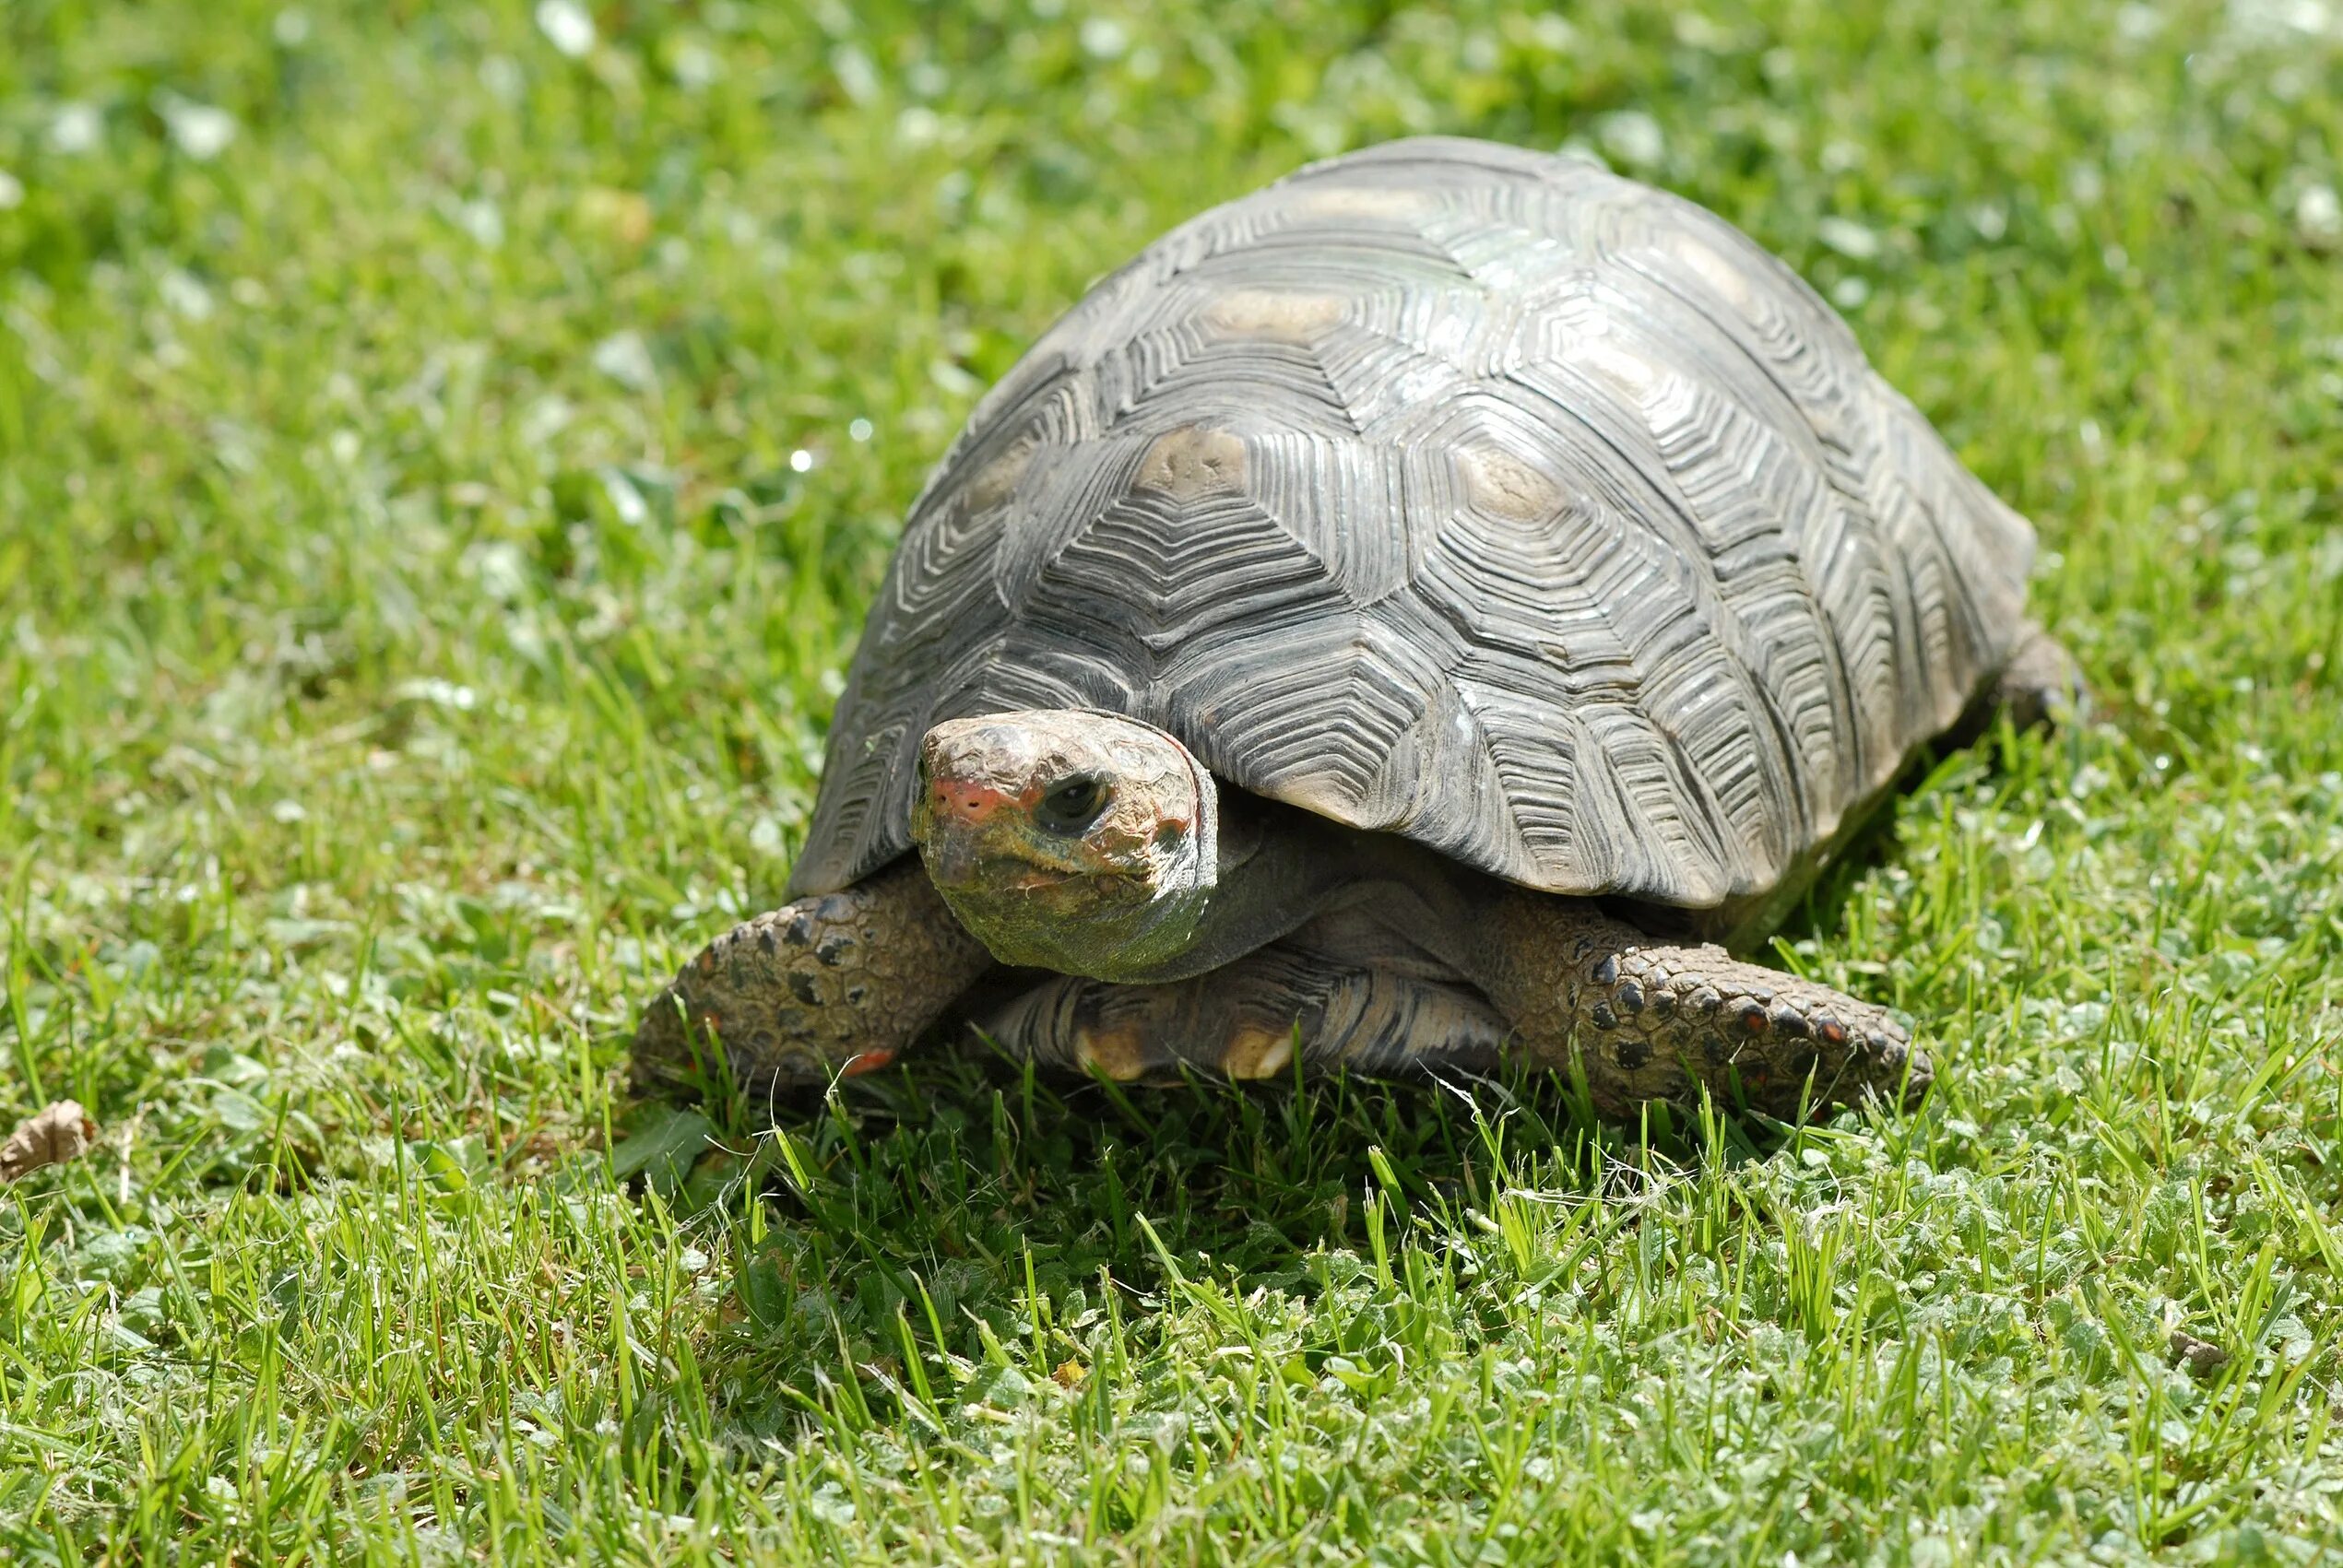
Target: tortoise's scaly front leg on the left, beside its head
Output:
[(821, 988)]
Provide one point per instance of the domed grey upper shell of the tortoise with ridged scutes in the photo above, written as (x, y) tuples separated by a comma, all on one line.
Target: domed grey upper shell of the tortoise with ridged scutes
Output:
[(1461, 493)]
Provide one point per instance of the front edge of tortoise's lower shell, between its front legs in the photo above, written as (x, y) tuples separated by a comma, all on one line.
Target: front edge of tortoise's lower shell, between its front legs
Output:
[(1248, 1018)]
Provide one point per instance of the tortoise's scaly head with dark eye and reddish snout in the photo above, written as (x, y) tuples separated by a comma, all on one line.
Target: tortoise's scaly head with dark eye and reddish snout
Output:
[(1070, 840)]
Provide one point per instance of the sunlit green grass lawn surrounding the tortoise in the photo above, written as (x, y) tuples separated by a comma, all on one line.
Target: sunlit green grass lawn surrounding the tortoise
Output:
[(439, 479)]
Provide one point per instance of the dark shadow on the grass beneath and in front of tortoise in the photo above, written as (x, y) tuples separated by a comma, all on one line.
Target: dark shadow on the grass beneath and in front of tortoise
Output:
[(974, 1208)]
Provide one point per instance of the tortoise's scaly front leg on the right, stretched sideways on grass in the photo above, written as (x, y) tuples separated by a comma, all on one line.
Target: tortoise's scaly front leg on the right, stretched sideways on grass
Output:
[(1653, 1021)]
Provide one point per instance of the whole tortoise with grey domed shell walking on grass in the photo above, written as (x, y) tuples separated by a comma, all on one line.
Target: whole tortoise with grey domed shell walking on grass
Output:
[(1407, 618)]
